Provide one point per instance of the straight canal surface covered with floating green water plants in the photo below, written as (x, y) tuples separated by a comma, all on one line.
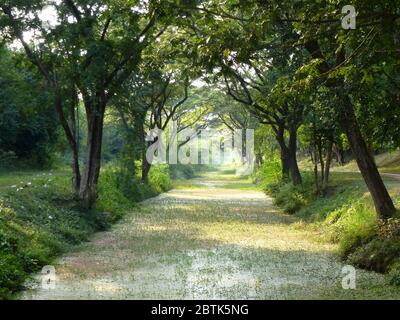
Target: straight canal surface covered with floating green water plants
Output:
[(215, 237)]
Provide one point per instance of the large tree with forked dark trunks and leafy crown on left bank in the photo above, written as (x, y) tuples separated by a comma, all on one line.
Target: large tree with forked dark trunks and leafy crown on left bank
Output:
[(93, 47)]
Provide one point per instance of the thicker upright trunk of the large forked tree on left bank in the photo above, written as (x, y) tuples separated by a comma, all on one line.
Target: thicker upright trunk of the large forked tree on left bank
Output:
[(88, 186)]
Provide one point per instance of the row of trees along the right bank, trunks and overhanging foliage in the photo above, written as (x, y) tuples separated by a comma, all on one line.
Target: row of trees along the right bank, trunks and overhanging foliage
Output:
[(292, 63)]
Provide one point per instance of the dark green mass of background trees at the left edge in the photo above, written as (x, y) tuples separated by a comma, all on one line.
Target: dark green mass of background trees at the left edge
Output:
[(28, 126)]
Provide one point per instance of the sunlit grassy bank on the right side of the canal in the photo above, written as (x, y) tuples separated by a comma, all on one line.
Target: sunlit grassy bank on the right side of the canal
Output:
[(345, 216)]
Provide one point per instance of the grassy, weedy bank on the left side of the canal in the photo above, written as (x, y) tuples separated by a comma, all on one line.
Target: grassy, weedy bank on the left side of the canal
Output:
[(40, 218)]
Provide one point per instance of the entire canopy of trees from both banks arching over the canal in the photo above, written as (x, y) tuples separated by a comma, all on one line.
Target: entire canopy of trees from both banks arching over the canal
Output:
[(289, 63)]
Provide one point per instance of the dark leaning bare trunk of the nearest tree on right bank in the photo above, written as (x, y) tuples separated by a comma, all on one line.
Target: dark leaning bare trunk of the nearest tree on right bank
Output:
[(382, 201)]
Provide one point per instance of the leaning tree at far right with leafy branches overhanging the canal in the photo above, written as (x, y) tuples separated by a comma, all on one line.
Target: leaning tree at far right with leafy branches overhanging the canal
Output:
[(334, 51)]
